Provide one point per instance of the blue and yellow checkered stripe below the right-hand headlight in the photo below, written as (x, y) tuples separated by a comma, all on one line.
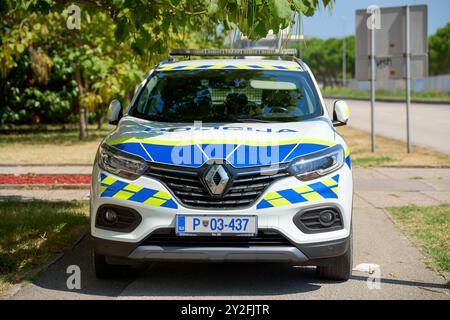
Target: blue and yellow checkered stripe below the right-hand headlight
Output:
[(326, 189)]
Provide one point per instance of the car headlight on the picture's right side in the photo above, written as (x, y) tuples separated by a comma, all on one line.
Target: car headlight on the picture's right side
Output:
[(318, 163)]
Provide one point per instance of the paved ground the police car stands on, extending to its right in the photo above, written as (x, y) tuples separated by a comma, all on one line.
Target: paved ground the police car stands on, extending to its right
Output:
[(377, 241)]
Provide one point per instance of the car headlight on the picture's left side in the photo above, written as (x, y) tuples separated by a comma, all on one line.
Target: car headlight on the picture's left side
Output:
[(120, 163)]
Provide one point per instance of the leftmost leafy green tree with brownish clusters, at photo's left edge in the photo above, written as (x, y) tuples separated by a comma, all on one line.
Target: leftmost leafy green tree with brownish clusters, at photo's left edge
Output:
[(34, 74)]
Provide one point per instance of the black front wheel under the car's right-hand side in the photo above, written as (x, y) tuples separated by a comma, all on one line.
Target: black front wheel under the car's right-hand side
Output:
[(341, 268)]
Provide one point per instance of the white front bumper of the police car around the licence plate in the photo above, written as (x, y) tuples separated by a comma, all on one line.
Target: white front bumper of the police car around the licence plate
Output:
[(159, 213)]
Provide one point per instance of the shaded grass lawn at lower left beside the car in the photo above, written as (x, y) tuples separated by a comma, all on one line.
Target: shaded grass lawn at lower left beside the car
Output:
[(34, 231)]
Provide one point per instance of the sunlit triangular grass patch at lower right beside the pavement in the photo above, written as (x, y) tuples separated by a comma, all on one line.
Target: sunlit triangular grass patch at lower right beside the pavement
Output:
[(430, 226)]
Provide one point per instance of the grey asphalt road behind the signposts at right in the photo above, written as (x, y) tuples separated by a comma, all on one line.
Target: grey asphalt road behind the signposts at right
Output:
[(430, 124)]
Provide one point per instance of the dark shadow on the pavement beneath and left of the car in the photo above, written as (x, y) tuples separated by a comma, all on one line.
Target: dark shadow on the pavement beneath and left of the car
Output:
[(184, 280)]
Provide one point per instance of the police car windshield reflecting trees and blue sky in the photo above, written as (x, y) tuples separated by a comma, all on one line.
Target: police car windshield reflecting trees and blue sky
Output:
[(228, 95)]
